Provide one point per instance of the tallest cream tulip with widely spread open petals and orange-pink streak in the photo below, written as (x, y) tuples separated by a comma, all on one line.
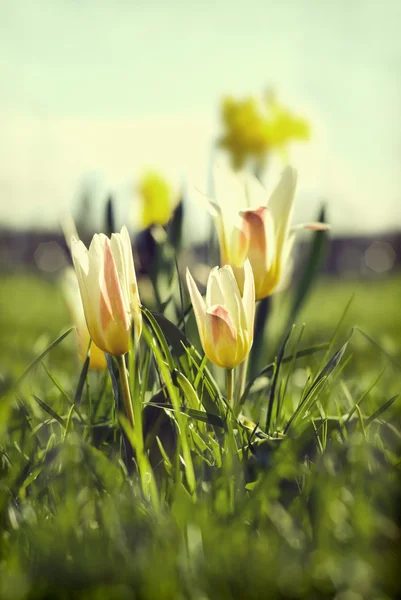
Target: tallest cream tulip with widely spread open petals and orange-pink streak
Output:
[(251, 226)]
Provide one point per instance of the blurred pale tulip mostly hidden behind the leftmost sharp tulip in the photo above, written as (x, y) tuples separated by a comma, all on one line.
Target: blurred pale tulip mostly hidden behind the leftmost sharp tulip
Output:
[(70, 287)]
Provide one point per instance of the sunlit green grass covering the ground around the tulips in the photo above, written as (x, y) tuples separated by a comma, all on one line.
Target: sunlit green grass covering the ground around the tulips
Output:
[(209, 508)]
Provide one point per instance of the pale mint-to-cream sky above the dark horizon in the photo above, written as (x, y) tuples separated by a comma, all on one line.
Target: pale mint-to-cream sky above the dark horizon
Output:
[(93, 92)]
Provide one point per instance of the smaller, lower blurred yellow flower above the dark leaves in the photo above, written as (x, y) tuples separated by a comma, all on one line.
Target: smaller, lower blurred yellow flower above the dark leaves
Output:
[(157, 198)]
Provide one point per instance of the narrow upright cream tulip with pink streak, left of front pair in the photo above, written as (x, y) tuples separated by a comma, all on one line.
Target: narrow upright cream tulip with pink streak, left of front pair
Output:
[(109, 290)]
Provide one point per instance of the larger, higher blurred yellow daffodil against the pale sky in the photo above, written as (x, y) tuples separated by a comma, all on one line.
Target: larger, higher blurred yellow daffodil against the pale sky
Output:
[(255, 127)]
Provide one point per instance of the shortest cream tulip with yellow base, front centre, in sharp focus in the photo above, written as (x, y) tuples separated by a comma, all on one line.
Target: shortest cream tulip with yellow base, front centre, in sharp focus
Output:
[(225, 320)]
